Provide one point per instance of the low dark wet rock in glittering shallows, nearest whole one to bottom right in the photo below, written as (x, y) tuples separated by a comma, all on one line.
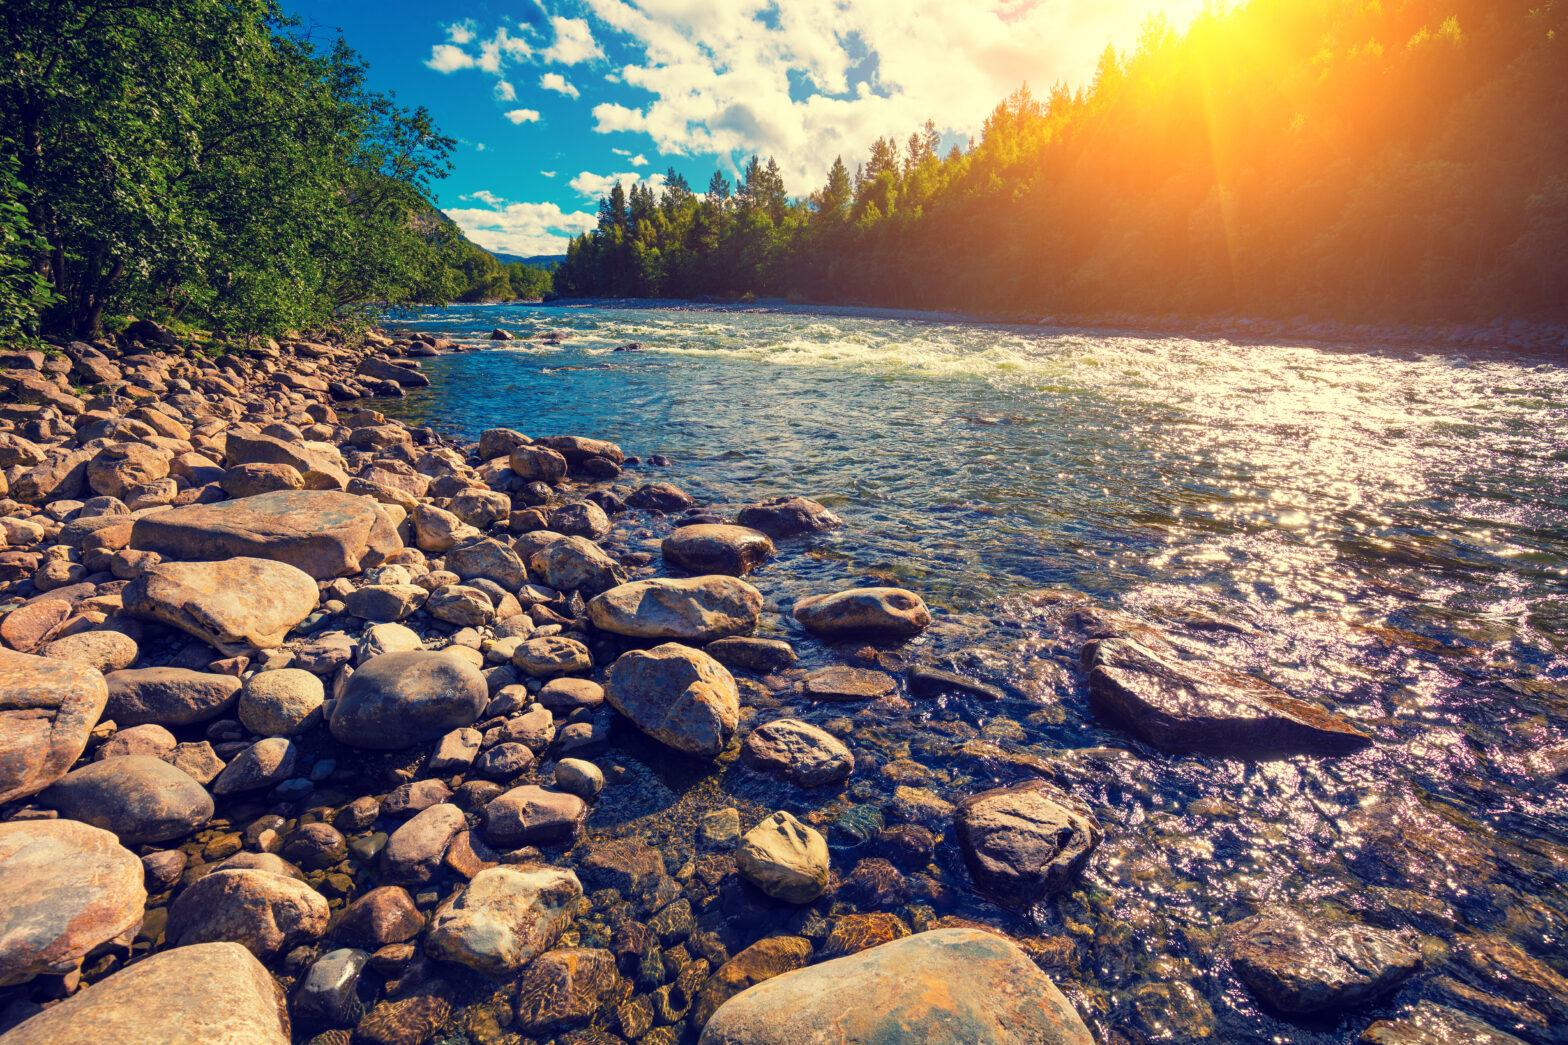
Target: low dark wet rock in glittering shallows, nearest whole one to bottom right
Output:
[(1301, 964)]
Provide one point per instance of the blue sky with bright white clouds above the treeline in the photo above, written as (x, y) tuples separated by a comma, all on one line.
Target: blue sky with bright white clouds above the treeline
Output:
[(554, 101)]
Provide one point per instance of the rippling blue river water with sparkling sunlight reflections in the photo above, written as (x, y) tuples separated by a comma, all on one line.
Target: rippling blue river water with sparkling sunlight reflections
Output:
[(1382, 533)]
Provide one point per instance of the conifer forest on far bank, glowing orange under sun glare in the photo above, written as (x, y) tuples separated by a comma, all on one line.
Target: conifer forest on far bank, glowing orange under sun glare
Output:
[(1351, 159)]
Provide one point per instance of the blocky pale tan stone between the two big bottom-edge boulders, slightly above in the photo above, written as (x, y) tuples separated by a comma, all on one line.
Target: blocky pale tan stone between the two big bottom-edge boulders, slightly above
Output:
[(504, 919)]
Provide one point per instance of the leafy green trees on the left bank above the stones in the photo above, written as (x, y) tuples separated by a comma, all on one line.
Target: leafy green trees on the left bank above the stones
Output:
[(206, 164)]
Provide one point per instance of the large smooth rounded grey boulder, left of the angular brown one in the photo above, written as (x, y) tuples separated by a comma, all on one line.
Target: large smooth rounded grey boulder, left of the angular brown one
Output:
[(399, 701)]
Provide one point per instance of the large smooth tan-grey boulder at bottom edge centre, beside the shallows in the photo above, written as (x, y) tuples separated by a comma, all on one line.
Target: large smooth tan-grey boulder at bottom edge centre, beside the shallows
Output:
[(942, 986)]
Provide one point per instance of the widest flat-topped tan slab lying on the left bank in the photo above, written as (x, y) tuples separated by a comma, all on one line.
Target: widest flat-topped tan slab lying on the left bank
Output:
[(322, 533)]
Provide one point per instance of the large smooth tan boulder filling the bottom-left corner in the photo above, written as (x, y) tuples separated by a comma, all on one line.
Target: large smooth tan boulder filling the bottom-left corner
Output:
[(184, 983)]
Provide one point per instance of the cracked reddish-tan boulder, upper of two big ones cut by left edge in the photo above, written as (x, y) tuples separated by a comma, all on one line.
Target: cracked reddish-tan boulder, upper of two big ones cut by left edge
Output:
[(48, 708)]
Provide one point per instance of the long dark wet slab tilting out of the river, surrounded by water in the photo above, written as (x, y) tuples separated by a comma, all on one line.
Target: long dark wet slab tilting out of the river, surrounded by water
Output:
[(1185, 708)]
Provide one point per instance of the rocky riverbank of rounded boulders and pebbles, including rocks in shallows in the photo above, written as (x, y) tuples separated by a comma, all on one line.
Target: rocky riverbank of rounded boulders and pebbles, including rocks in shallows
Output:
[(318, 727)]
